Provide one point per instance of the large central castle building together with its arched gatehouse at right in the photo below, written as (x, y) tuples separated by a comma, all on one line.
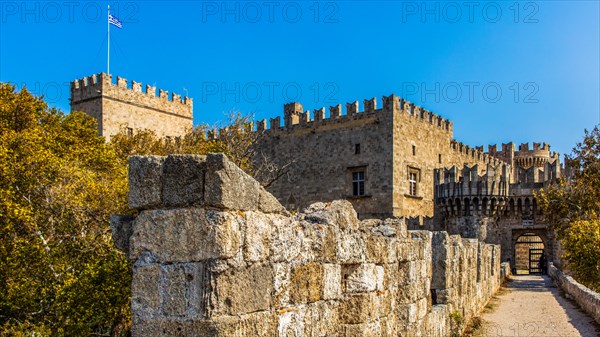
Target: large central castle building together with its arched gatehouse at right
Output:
[(401, 160)]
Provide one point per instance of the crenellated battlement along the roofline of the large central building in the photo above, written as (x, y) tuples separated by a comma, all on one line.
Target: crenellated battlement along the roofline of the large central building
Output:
[(295, 117)]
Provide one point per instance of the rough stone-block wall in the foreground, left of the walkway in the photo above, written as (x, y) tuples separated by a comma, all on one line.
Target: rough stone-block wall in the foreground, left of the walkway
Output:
[(216, 255)]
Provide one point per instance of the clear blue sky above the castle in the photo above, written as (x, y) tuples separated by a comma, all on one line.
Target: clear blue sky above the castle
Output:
[(501, 71)]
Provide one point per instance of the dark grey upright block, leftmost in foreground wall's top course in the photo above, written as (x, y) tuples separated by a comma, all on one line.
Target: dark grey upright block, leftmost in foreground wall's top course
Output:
[(145, 182)]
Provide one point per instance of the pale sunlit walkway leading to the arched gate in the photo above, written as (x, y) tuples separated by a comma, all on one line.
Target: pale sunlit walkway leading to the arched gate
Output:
[(531, 305)]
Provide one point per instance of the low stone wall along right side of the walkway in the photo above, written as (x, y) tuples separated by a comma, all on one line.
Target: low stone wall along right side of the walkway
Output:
[(587, 299)]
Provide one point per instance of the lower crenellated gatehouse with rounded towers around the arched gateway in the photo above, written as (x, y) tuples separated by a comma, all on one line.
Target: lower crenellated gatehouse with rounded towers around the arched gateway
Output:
[(490, 209)]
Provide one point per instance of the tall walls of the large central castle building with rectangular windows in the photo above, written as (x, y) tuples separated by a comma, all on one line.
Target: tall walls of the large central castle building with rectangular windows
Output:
[(394, 140)]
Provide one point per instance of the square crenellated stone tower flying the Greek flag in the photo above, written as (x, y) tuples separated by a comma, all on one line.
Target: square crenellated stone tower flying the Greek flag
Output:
[(117, 106)]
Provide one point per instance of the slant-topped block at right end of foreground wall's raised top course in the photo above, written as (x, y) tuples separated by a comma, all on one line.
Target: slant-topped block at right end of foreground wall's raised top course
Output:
[(227, 186)]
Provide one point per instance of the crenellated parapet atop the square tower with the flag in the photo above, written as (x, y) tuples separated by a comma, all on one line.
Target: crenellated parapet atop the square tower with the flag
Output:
[(101, 85)]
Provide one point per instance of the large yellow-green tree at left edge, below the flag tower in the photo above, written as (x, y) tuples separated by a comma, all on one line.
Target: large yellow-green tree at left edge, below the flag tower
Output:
[(59, 182)]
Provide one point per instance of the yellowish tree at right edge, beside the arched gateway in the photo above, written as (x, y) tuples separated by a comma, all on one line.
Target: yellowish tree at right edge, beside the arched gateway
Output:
[(572, 206)]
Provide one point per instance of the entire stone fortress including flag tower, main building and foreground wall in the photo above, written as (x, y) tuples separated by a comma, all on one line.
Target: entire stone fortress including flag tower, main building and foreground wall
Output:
[(398, 229)]
